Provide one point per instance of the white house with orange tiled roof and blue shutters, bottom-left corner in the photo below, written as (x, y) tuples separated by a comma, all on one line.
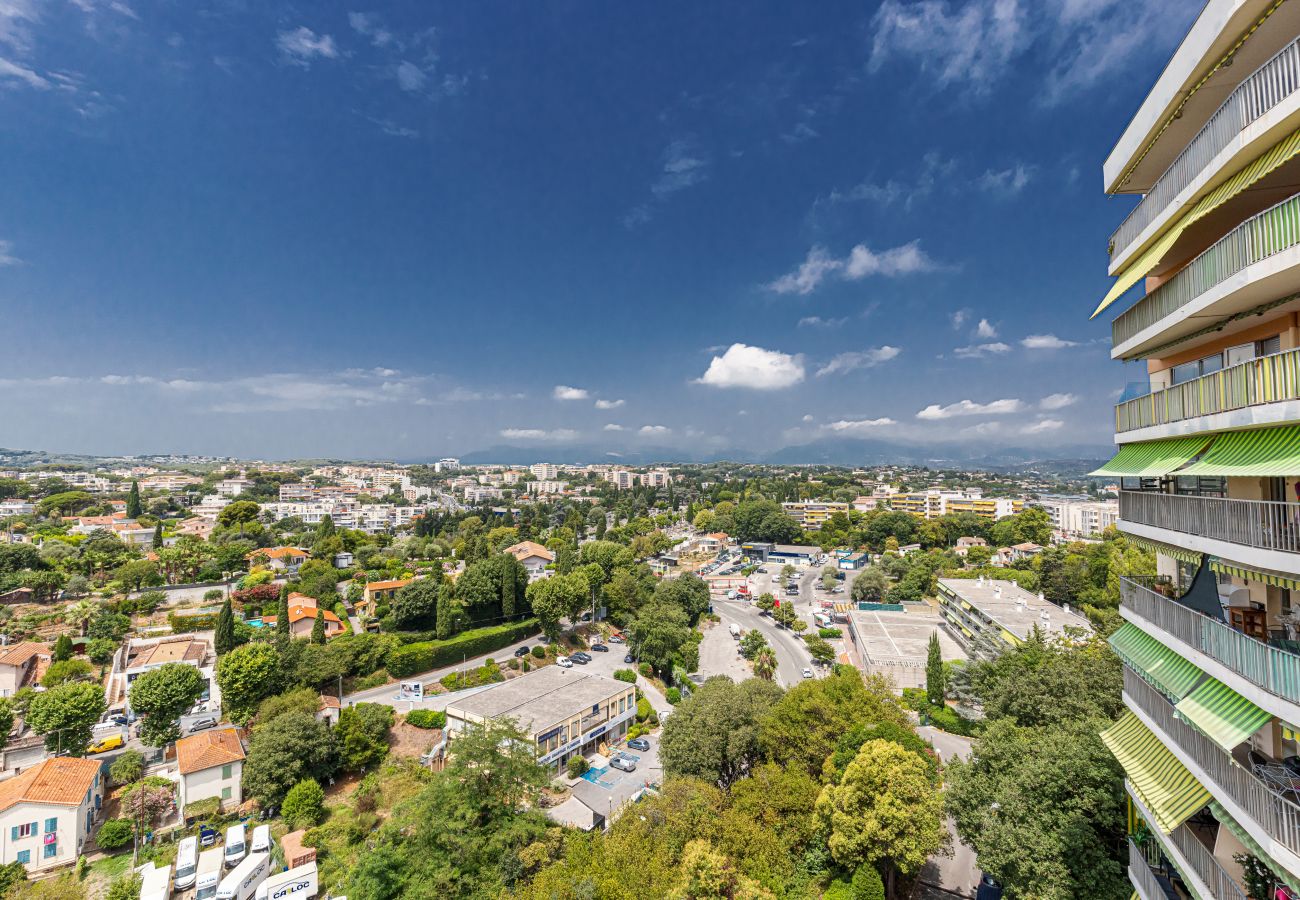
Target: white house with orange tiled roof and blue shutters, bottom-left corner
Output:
[(47, 812)]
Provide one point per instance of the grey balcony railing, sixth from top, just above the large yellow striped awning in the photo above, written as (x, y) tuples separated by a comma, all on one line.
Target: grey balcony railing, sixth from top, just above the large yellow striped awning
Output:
[(1279, 817)]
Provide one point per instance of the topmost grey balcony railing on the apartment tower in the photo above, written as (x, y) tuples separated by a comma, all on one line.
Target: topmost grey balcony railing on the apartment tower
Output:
[(1262, 92)]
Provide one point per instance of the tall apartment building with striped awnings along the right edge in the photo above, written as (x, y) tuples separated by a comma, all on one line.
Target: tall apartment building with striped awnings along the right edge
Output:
[(1207, 296)]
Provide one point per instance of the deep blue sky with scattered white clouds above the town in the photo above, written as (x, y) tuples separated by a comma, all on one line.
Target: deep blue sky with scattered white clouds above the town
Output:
[(428, 228)]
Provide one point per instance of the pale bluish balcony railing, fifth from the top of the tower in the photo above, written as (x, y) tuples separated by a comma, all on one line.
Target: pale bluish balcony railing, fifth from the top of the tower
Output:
[(1271, 668)]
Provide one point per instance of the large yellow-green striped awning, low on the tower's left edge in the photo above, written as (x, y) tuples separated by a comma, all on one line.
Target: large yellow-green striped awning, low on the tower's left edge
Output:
[(1164, 785)]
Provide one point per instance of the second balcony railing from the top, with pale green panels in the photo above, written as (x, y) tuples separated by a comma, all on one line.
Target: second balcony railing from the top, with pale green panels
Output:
[(1258, 239)]
